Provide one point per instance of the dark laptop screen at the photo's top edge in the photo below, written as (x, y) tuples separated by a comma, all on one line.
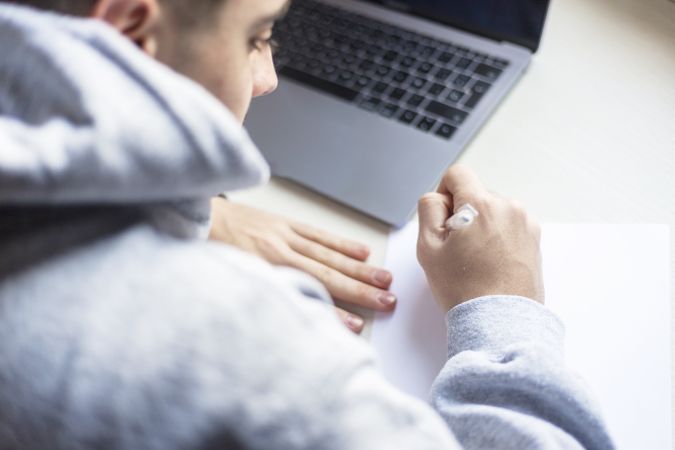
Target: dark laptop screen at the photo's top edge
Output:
[(517, 21)]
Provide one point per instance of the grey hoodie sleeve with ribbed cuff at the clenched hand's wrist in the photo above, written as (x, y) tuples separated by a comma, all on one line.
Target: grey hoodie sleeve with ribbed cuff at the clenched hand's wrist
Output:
[(505, 384)]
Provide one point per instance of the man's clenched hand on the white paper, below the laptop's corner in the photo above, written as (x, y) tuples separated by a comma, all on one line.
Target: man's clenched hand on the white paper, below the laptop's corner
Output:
[(497, 255)]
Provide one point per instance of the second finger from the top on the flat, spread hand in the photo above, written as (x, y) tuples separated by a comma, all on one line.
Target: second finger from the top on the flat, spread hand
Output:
[(348, 266)]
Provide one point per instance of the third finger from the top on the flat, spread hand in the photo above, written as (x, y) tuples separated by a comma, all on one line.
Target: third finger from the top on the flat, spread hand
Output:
[(341, 286)]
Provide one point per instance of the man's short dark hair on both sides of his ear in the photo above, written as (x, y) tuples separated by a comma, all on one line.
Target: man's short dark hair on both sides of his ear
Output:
[(190, 11)]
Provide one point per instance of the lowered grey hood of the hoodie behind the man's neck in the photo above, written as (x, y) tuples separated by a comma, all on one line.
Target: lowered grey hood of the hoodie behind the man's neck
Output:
[(87, 118)]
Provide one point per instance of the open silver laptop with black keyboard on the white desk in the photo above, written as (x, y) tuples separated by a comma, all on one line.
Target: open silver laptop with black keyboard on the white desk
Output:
[(377, 98)]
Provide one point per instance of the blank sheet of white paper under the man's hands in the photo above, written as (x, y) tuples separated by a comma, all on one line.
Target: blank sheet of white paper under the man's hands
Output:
[(608, 283)]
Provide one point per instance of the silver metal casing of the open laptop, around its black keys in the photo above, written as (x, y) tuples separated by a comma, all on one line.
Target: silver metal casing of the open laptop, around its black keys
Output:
[(373, 162)]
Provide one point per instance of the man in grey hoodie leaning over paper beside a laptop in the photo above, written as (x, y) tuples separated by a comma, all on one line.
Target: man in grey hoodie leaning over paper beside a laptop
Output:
[(120, 329)]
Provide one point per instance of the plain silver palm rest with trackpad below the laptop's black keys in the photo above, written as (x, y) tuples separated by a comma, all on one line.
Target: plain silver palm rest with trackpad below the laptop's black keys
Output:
[(332, 147)]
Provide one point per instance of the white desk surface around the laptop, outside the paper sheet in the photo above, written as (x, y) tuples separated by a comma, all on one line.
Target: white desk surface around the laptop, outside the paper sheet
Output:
[(587, 136)]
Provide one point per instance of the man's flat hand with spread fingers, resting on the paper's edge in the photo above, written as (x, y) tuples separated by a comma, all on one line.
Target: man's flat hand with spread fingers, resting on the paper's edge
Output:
[(338, 263)]
